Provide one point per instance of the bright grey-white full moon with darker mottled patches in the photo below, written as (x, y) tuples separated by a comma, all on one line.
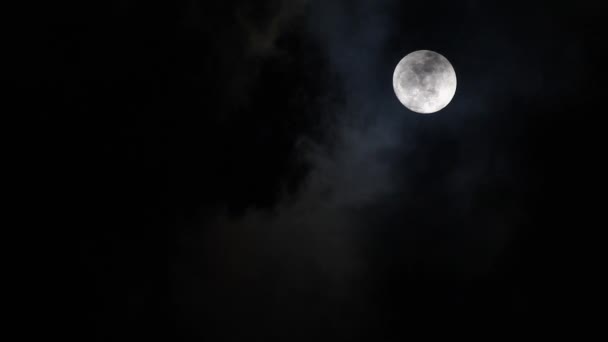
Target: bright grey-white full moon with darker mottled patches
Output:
[(424, 81)]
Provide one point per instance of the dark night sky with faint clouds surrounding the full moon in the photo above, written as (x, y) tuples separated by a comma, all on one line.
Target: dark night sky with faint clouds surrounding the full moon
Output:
[(242, 170)]
